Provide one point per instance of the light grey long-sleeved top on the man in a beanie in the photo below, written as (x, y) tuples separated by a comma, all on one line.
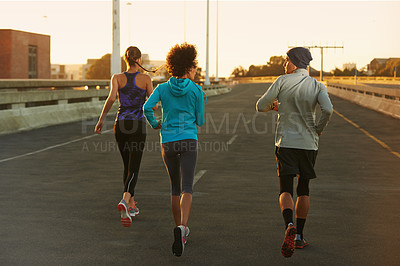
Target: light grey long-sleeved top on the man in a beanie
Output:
[(298, 95)]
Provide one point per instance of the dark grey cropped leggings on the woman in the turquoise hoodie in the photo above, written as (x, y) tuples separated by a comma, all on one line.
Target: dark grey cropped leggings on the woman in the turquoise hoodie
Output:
[(180, 159)]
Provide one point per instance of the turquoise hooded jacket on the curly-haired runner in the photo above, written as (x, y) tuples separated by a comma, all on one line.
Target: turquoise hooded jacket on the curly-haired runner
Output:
[(182, 109)]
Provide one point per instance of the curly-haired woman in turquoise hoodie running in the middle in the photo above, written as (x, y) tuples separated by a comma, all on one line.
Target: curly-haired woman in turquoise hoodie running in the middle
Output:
[(182, 111)]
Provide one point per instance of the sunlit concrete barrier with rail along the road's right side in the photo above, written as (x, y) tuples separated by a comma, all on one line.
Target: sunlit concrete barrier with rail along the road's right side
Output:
[(386, 101)]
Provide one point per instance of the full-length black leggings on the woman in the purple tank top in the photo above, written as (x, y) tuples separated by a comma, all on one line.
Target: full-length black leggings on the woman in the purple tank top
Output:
[(131, 137)]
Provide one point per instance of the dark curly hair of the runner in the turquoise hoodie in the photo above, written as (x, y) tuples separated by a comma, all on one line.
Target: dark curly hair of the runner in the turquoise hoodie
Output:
[(181, 59)]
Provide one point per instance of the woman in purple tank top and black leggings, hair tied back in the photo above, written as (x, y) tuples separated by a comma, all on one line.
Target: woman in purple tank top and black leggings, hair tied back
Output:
[(130, 126)]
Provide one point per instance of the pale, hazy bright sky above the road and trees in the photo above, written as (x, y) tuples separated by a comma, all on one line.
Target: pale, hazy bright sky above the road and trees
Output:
[(250, 32)]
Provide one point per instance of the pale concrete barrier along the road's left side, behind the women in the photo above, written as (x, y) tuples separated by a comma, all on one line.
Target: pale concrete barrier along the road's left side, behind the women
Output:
[(26, 110)]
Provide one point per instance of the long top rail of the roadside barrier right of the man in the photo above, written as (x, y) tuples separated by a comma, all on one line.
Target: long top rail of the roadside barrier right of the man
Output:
[(390, 94)]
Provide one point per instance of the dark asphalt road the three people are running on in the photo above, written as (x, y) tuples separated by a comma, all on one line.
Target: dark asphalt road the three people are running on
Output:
[(59, 189)]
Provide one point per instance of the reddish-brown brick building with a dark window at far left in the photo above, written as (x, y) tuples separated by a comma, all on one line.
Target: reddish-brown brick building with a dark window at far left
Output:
[(24, 55)]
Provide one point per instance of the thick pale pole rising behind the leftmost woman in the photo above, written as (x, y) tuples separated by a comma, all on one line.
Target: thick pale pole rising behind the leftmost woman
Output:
[(116, 50)]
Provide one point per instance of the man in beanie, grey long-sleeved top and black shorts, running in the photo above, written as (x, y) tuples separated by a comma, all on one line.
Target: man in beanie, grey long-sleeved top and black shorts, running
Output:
[(295, 96)]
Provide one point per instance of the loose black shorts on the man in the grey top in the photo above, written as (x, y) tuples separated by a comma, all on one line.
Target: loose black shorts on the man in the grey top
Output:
[(295, 162)]
